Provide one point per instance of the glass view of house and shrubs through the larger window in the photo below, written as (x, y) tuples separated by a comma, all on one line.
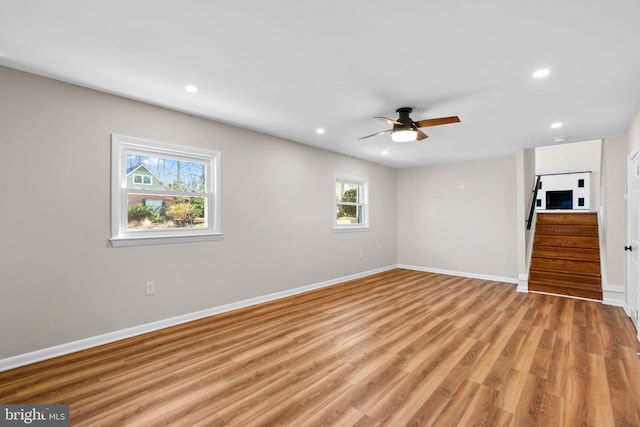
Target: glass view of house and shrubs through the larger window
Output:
[(158, 206)]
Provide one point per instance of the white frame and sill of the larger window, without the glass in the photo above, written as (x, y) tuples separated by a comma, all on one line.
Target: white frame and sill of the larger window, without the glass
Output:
[(120, 234)]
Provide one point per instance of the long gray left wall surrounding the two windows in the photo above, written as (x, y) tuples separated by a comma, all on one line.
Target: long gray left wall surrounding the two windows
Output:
[(60, 280)]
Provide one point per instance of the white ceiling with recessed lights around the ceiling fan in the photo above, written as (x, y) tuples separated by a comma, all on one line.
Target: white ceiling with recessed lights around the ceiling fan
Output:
[(287, 67)]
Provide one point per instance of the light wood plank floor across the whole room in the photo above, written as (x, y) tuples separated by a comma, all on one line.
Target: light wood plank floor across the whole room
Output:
[(397, 348)]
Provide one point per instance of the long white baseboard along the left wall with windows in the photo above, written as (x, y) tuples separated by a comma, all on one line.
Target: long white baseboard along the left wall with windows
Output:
[(83, 344)]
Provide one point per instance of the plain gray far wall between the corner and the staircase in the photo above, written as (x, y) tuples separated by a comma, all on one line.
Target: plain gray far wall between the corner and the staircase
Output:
[(459, 217)]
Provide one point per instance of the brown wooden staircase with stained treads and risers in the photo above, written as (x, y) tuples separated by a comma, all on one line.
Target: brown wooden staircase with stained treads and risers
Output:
[(566, 255)]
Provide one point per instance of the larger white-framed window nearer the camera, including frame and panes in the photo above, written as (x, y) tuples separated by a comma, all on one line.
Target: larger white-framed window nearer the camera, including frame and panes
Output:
[(163, 193)]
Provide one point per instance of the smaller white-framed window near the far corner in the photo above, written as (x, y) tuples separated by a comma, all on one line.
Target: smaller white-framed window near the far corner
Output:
[(351, 208)]
